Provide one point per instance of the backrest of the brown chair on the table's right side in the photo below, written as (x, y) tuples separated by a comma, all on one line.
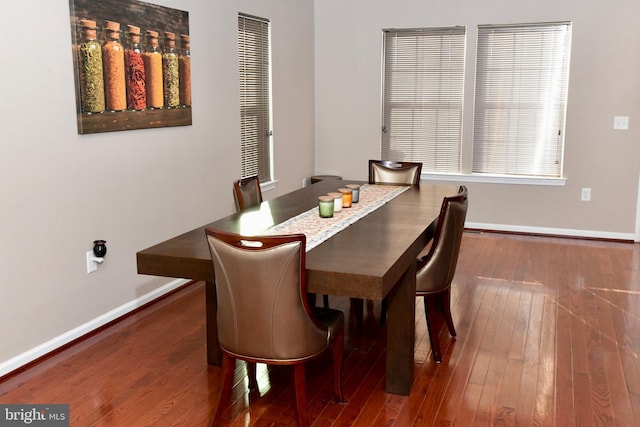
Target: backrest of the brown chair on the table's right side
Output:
[(442, 259)]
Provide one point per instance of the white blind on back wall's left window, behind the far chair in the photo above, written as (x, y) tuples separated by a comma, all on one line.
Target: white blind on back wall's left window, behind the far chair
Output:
[(422, 97)]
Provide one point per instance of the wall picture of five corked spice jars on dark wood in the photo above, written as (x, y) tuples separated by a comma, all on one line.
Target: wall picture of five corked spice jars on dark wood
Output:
[(132, 65)]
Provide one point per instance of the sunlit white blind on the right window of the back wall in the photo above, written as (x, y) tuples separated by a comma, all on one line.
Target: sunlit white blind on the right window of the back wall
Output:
[(521, 92)]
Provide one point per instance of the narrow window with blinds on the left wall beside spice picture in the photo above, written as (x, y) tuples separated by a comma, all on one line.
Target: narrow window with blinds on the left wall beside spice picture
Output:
[(255, 96)]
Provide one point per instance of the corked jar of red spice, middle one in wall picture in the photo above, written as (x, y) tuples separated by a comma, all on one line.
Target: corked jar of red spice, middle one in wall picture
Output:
[(134, 69)]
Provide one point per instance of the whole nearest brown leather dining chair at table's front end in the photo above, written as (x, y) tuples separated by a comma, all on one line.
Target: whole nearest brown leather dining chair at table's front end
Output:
[(263, 313)]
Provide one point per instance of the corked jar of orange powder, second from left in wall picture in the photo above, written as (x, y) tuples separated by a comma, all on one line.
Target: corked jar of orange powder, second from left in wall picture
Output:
[(113, 60)]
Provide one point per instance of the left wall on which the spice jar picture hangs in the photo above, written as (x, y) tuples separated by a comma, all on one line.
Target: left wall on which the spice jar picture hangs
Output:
[(60, 190)]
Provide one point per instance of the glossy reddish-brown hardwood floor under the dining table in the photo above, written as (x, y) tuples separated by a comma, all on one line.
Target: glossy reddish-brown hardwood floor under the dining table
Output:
[(548, 335)]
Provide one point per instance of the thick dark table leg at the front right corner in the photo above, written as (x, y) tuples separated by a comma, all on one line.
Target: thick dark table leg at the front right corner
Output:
[(400, 333)]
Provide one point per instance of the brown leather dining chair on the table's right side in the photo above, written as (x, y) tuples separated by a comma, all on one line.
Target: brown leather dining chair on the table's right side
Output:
[(437, 269)]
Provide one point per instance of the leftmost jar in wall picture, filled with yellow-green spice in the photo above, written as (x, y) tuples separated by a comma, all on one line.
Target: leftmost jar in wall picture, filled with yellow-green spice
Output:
[(90, 69)]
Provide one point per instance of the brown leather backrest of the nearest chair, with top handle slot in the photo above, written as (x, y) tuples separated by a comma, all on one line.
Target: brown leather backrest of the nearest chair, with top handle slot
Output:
[(263, 313)]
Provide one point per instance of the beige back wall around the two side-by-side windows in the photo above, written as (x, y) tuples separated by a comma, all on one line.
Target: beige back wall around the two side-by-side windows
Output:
[(604, 82)]
